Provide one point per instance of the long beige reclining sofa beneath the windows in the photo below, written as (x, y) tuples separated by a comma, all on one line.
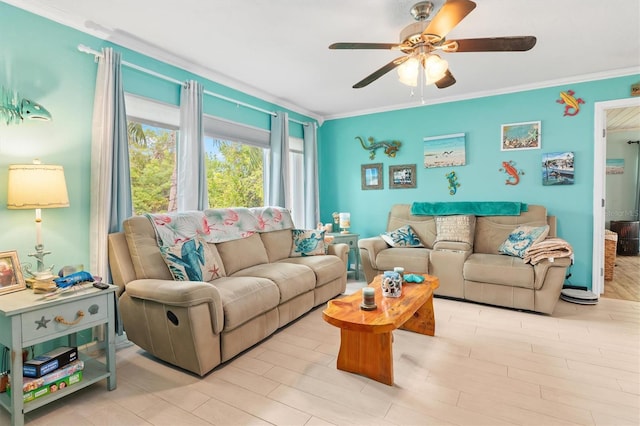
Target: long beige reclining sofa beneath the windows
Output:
[(258, 287)]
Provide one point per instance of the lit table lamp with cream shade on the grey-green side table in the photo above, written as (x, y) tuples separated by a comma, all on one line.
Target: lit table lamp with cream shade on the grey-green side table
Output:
[(37, 186)]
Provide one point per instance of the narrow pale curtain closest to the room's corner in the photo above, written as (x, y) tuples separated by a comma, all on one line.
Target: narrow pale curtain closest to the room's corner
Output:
[(311, 203)]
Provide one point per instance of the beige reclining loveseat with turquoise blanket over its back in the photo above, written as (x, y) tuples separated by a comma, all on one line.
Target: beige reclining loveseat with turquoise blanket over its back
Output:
[(474, 270)]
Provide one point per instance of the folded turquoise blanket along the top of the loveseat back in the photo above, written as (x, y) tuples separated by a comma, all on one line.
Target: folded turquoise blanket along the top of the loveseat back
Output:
[(477, 208)]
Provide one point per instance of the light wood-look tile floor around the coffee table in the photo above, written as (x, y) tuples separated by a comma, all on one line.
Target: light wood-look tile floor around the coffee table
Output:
[(484, 366)]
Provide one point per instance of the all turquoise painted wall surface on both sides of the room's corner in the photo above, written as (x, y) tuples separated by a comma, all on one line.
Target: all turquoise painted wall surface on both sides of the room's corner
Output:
[(43, 64)]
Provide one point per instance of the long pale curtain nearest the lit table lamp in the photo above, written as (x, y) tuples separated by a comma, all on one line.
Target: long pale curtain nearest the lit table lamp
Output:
[(110, 179)]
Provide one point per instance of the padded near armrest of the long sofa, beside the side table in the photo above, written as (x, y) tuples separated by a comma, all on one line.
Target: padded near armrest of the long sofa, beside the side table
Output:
[(182, 294)]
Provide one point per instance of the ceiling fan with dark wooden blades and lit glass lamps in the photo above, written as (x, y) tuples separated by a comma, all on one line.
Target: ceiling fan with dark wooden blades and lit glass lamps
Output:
[(420, 39)]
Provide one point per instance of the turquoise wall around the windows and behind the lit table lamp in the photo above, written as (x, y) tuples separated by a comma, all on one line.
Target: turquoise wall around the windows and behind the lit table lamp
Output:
[(43, 64)]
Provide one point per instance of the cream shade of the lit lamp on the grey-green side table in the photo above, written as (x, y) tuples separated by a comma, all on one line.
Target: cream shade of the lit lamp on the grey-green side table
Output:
[(36, 186)]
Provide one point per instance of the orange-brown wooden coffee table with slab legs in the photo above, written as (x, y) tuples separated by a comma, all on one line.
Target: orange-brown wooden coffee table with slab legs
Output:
[(366, 336)]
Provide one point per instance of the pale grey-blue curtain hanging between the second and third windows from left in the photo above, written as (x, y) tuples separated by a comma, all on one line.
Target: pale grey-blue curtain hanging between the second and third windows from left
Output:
[(278, 179)]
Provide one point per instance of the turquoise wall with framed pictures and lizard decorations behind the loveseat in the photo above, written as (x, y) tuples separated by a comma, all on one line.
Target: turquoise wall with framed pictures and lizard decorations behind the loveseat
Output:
[(480, 119)]
